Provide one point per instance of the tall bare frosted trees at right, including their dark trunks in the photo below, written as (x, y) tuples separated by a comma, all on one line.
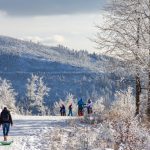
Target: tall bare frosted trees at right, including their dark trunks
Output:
[(125, 35)]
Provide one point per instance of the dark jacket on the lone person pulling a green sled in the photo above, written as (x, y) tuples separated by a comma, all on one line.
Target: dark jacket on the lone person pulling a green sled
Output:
[(5, 117)]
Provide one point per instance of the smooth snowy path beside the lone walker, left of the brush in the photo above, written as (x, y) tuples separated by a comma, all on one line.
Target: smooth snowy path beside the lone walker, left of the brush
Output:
[(26, 131)]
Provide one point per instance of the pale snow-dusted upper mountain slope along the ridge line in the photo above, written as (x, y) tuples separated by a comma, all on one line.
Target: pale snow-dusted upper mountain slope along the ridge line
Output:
[(54, 54)]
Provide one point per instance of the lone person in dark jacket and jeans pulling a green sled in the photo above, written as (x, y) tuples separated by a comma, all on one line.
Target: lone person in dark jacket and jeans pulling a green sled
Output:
[(5, 121)]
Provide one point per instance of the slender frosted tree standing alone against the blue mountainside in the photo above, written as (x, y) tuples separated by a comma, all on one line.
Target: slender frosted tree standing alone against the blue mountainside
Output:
[(36, 91)]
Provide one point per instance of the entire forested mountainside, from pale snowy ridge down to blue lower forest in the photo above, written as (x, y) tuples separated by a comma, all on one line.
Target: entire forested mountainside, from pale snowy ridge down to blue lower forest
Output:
[(64, 71)]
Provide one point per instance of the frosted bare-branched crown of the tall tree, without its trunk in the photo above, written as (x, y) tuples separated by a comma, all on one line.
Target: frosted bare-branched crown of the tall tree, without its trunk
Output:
[(123, 34)]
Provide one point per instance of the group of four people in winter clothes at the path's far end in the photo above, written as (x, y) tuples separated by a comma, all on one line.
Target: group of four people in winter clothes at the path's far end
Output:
[(81, 107)]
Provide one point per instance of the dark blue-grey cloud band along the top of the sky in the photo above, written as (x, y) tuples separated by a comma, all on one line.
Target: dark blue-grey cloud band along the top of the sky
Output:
[(49, 7)]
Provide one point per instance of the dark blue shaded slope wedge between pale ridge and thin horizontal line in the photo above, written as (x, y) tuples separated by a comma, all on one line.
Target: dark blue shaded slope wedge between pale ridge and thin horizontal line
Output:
[(15, 63)]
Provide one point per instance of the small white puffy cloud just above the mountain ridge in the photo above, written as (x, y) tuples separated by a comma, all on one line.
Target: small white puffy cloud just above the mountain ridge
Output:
[(55, 39)]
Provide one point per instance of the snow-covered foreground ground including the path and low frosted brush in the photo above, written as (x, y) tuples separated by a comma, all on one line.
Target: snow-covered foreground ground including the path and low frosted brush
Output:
[(52, 133)]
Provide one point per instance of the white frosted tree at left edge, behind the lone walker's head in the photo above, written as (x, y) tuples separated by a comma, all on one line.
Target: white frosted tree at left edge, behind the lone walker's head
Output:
[(7, 95)]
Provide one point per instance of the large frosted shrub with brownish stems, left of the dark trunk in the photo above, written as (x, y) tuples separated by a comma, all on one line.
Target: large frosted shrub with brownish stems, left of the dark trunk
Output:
[(128, 133)]
